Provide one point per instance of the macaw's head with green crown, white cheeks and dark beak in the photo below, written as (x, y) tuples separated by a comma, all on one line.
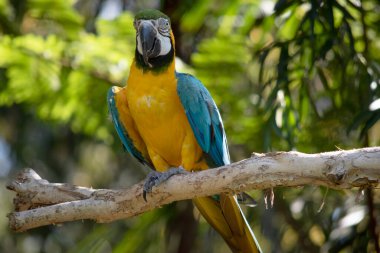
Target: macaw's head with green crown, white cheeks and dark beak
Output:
[(154, 40)]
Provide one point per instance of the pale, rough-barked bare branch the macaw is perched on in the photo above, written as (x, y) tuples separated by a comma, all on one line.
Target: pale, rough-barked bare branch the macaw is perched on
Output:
[(39, 203)]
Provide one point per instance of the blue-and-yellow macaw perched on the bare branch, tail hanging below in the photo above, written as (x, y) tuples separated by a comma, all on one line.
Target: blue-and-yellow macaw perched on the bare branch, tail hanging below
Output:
[(167, 120)]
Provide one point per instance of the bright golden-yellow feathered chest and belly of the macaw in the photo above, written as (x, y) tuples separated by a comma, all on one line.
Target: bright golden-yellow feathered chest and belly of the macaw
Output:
[(158, 113)]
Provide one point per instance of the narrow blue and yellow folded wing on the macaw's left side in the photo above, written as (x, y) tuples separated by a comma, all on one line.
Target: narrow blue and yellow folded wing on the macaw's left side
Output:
[(131, 140)]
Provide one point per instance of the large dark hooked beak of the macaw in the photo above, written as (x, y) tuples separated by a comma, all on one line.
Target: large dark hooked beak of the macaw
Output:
[(151, 46)]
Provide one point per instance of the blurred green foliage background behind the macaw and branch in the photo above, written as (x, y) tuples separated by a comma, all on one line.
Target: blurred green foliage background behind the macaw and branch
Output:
[(287, 75)]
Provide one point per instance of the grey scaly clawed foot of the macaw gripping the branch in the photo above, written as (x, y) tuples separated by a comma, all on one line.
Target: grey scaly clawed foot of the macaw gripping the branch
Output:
[(155, 178)]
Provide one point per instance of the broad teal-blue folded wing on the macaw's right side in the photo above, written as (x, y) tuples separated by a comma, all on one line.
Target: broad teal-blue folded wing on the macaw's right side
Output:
[(204, 118)]
